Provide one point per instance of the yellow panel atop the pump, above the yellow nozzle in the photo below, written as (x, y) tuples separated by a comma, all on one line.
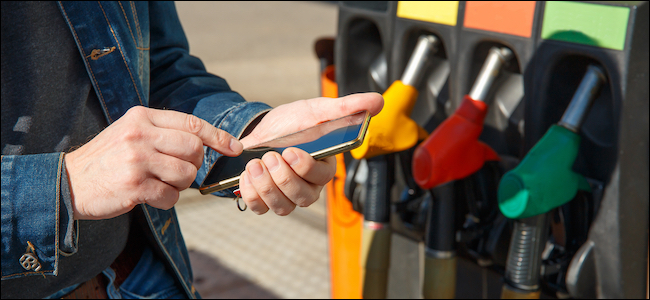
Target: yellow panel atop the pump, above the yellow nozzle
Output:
[(442, 12)]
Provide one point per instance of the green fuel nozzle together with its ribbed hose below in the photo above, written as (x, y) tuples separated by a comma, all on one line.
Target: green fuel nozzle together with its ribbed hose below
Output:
[(543, 181)]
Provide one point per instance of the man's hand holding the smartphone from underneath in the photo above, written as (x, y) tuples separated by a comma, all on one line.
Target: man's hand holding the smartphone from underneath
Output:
[(280, 182)]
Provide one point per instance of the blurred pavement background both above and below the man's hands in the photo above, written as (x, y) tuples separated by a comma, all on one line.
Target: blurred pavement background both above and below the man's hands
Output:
[(265, 50)]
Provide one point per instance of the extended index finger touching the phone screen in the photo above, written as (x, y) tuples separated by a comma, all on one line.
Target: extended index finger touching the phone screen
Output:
[(215, 138)]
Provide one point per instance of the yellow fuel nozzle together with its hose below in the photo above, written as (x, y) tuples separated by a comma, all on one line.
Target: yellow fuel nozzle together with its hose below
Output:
[(392, 130)]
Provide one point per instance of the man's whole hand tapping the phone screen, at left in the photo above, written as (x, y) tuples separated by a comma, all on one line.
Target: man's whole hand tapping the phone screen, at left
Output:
[(147, 156)]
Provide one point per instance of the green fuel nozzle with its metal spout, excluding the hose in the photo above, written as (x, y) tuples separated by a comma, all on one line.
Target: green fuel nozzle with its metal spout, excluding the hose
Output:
[(544, 179)]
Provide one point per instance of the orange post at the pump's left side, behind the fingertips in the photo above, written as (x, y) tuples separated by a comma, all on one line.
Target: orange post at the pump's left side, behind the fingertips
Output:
[(343, 223)]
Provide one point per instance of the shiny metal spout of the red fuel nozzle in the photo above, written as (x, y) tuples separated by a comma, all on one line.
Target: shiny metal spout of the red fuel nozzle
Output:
[(497, 57)]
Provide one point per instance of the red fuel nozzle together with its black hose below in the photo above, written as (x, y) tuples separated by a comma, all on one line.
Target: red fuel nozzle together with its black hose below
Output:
[(453, 152)]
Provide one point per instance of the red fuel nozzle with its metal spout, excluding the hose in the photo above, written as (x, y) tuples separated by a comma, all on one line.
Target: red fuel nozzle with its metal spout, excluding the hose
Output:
[(453, 151)]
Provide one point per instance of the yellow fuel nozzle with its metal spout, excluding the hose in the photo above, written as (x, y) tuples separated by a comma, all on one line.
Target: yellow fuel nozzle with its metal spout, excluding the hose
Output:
[(393, 130)]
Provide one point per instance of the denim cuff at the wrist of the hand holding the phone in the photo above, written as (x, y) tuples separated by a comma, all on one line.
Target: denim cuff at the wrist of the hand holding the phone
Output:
[(234, 120)]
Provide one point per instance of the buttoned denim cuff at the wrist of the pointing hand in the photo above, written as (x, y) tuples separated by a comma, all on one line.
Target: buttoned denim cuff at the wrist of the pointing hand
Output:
[(30, 214)]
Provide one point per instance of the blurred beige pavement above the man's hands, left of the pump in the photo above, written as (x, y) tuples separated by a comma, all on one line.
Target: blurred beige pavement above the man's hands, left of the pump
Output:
[(263, 49)]
